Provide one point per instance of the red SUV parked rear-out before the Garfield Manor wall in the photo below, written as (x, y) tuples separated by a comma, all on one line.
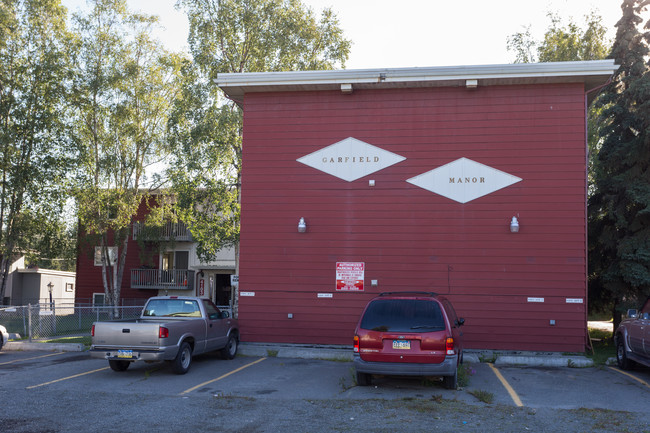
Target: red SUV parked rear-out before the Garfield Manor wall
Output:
[(408, 334)]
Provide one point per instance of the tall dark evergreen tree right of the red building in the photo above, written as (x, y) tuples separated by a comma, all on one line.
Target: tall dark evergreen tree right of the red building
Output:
[(619, 210)]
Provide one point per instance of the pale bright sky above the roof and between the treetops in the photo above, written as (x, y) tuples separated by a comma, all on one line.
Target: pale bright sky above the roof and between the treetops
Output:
[(416, 33)]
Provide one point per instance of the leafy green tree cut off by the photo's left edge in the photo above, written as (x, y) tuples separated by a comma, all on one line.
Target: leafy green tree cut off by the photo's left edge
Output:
[(34, 152)]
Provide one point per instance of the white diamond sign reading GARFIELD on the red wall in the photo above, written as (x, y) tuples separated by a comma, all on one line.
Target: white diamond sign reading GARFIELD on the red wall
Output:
[(350, 159)]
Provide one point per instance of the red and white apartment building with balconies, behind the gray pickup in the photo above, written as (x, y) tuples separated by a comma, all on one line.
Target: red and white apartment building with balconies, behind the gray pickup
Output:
[(165, 264)]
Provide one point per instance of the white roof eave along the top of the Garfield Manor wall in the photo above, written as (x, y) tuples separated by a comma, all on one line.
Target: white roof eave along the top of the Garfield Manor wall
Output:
[(592, 73)]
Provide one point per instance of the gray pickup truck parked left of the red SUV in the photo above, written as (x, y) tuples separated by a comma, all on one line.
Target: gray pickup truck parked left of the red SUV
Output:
[(170, 328)]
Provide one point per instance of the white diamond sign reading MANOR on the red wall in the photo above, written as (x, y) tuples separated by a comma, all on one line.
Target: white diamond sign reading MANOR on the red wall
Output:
[(464, 180)]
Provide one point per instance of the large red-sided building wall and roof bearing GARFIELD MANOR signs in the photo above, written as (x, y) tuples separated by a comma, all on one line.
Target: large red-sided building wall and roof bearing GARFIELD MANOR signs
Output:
[(466, 181)]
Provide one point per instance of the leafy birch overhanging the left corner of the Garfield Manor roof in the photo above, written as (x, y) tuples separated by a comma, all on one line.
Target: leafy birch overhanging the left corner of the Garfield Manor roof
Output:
[(228, 36)]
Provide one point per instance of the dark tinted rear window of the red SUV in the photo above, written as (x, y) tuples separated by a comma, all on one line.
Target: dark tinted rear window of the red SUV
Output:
[(403, 315)]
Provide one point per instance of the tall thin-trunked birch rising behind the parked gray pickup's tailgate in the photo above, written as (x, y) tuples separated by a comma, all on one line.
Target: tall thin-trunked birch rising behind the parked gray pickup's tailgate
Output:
[(124, 89)]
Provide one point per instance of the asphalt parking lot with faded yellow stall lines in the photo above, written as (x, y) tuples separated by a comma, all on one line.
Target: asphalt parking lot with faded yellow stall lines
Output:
[(58, 392)]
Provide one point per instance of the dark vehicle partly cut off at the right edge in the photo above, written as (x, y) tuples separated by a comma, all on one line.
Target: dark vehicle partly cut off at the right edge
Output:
[(632, 338)]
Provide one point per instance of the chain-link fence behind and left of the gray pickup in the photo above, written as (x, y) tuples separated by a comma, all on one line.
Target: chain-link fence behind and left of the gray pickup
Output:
[(45, 320)]
